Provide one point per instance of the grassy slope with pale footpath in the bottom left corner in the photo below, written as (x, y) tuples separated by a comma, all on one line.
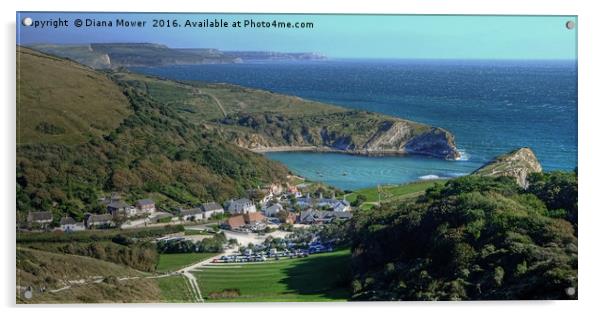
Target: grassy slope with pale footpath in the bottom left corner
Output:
[(79, 280)]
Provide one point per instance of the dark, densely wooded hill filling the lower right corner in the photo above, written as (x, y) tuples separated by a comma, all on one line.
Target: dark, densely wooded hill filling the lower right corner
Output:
[(473, 238)]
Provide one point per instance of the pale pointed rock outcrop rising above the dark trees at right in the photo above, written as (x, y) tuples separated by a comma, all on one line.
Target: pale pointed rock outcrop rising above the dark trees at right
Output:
[(518, 164)]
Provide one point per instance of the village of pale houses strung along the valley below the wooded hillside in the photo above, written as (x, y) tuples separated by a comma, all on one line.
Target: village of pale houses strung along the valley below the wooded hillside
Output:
[(278, 207)]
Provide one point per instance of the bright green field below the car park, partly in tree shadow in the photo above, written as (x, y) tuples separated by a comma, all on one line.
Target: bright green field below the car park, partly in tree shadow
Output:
[(321, 277)]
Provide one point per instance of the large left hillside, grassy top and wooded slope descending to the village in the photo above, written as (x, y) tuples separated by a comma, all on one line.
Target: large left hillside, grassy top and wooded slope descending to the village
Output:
[(151, 150)]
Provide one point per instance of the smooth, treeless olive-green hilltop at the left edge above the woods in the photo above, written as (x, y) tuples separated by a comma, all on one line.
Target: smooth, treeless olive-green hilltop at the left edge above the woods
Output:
[(62, 102)]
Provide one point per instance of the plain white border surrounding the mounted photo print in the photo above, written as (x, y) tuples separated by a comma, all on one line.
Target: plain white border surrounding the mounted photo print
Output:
[(589, 149)]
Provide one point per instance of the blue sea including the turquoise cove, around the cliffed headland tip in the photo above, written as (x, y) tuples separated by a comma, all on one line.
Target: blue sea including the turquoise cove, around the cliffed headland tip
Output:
[(491, 107)]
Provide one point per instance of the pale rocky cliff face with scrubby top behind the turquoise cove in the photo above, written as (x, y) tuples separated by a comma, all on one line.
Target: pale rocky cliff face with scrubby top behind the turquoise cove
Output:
[(352, 132)]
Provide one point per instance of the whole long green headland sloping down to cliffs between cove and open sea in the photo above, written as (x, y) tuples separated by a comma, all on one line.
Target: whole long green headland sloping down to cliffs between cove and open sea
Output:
[(265, 121)]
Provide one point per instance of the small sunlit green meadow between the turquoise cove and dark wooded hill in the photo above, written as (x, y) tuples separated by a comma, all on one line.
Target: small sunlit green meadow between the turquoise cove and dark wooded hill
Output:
[(393, 192)]
